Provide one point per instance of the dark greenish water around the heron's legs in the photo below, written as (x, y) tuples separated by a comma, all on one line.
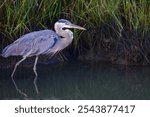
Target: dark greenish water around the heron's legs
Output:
[(78, 80)]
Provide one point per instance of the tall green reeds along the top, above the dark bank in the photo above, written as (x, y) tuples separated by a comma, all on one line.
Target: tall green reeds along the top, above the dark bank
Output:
[(21, 16)]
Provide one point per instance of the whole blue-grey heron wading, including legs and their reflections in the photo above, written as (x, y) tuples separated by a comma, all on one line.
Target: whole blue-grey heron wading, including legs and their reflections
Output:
[(44, 42)]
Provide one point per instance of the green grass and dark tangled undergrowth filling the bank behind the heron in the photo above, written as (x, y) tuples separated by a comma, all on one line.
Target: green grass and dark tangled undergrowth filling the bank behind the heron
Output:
[(111, 24)]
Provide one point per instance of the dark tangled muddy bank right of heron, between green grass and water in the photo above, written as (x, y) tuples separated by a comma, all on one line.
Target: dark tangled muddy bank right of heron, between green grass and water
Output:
[(125, 47)]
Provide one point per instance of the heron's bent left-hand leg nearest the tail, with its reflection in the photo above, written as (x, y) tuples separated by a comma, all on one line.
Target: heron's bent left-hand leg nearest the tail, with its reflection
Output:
[(13, 78)]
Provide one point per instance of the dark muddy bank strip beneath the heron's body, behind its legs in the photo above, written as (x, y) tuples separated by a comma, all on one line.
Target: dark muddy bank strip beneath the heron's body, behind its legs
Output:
[(43, 60)]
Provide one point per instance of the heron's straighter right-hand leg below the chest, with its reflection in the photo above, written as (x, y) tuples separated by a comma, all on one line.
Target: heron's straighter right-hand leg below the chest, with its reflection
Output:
[(36, 75)]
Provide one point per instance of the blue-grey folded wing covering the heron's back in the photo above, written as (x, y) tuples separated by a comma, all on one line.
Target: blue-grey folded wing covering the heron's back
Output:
[(31, 44)]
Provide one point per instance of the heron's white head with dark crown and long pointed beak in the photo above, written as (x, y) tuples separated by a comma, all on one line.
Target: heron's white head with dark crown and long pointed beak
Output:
[(65, 24)]
